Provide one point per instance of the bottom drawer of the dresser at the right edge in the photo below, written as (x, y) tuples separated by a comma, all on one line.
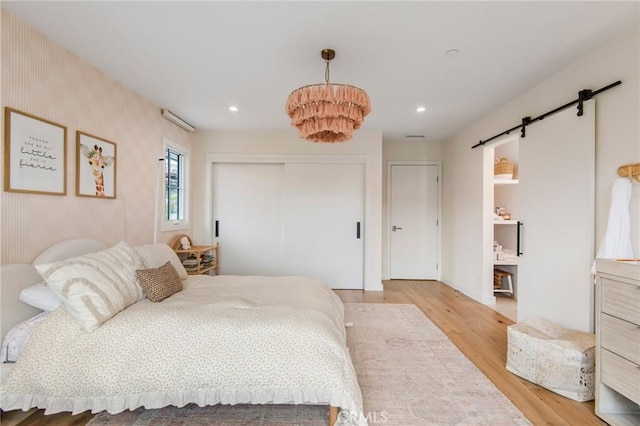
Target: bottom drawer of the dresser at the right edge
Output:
[(621, 375)]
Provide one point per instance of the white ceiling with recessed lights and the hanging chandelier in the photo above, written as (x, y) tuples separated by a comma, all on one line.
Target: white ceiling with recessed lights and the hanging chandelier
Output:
[(199, 58)]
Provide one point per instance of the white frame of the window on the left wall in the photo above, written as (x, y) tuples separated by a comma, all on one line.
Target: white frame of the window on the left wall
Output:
[(184, 171)]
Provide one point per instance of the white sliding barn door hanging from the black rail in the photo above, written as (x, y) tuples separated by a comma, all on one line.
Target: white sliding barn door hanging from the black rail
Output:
[(557, 174)]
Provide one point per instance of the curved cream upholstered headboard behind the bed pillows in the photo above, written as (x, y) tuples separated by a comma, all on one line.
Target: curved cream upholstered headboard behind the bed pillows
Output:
[(15, 277)]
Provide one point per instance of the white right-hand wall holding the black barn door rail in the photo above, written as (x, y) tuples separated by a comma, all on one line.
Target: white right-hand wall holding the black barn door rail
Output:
[(617, 143)]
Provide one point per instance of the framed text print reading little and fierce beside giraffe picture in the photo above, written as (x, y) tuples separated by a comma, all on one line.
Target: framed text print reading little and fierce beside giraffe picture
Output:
[(35, 154)]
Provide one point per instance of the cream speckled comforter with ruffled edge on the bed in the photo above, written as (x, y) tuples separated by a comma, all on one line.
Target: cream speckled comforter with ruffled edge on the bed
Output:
[(222, 339)]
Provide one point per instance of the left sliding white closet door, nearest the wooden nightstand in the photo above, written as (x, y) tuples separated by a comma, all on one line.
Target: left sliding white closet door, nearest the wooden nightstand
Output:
[(248, 210)]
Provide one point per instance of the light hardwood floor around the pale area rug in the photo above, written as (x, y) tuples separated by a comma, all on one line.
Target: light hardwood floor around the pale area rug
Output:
[(477, 330)]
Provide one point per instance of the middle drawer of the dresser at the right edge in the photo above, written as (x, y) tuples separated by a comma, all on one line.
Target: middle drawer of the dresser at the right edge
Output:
[(620, 337)]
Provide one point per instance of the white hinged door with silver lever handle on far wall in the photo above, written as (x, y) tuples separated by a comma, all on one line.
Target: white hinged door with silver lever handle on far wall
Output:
[(414, 222)]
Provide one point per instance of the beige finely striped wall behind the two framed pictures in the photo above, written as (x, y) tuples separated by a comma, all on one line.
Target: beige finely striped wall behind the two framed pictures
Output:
[(43, 79)]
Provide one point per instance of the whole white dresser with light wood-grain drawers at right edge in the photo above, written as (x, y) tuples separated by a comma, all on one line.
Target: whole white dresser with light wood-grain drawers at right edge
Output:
[(618, 342)]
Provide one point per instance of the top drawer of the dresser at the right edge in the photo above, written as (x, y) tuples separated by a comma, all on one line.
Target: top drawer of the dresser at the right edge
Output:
[(620, 300)]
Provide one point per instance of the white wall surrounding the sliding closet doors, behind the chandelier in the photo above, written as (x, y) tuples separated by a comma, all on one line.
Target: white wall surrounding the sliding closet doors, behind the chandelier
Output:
[(367, 145)]
